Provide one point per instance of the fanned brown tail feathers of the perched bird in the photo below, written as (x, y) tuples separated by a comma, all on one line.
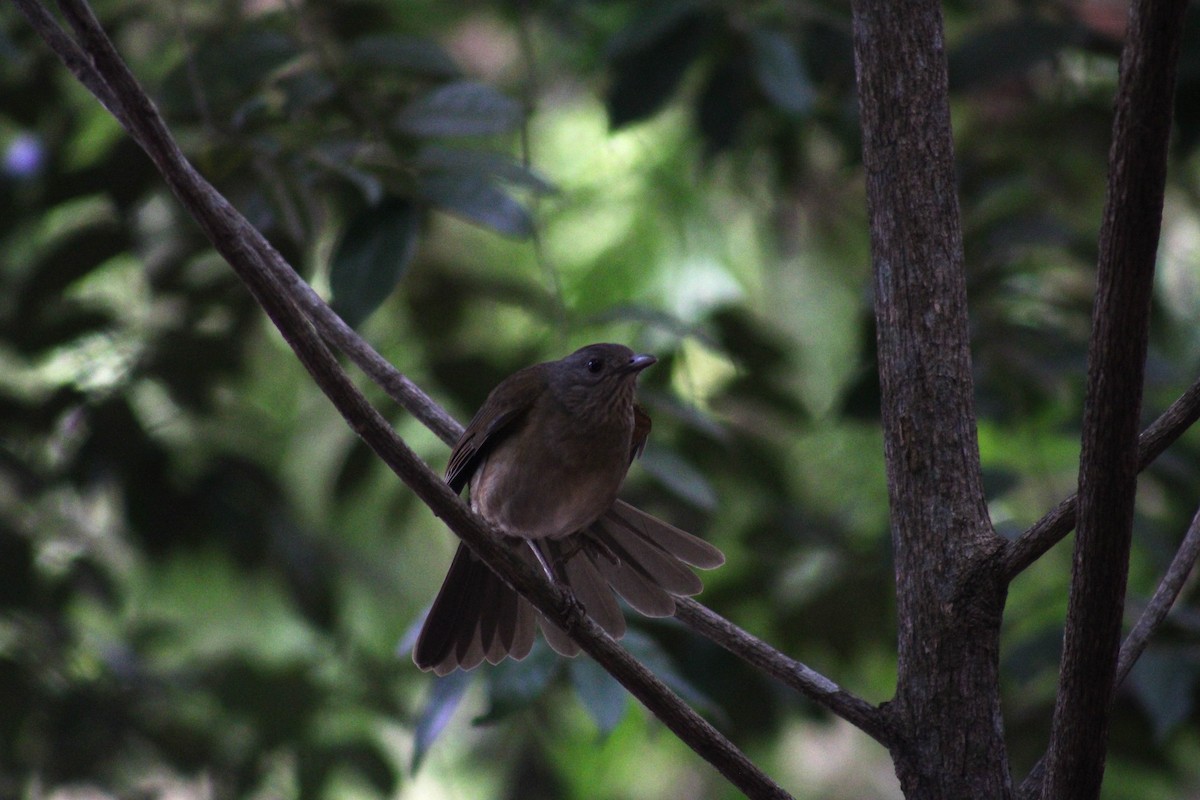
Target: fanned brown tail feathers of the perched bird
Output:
[(478, 617)]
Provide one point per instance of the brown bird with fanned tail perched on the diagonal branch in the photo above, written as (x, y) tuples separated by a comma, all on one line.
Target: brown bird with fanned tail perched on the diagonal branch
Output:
[(544, 458)]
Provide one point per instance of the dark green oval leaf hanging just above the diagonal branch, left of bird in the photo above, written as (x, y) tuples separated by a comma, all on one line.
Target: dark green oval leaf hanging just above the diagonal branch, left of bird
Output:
[(373, 256)]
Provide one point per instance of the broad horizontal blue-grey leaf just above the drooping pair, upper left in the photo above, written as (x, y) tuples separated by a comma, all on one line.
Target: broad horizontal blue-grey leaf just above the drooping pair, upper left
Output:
[(464, 109)]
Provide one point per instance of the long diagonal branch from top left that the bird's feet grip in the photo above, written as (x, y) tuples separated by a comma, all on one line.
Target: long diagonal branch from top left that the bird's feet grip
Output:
[(263, 272)]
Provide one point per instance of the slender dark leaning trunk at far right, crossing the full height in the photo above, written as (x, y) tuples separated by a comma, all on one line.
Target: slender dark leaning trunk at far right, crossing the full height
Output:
[(1108, 474)]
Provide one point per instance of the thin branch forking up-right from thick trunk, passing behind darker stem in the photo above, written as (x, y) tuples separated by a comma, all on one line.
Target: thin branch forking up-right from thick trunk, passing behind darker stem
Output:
[(1048, 532)]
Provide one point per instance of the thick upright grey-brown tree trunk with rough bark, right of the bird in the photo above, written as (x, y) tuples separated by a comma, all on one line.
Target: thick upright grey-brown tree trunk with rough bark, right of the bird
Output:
[(950, 598)]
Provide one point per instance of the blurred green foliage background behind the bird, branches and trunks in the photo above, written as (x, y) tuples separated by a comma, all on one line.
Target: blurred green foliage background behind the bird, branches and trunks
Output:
[(205, 576)]
